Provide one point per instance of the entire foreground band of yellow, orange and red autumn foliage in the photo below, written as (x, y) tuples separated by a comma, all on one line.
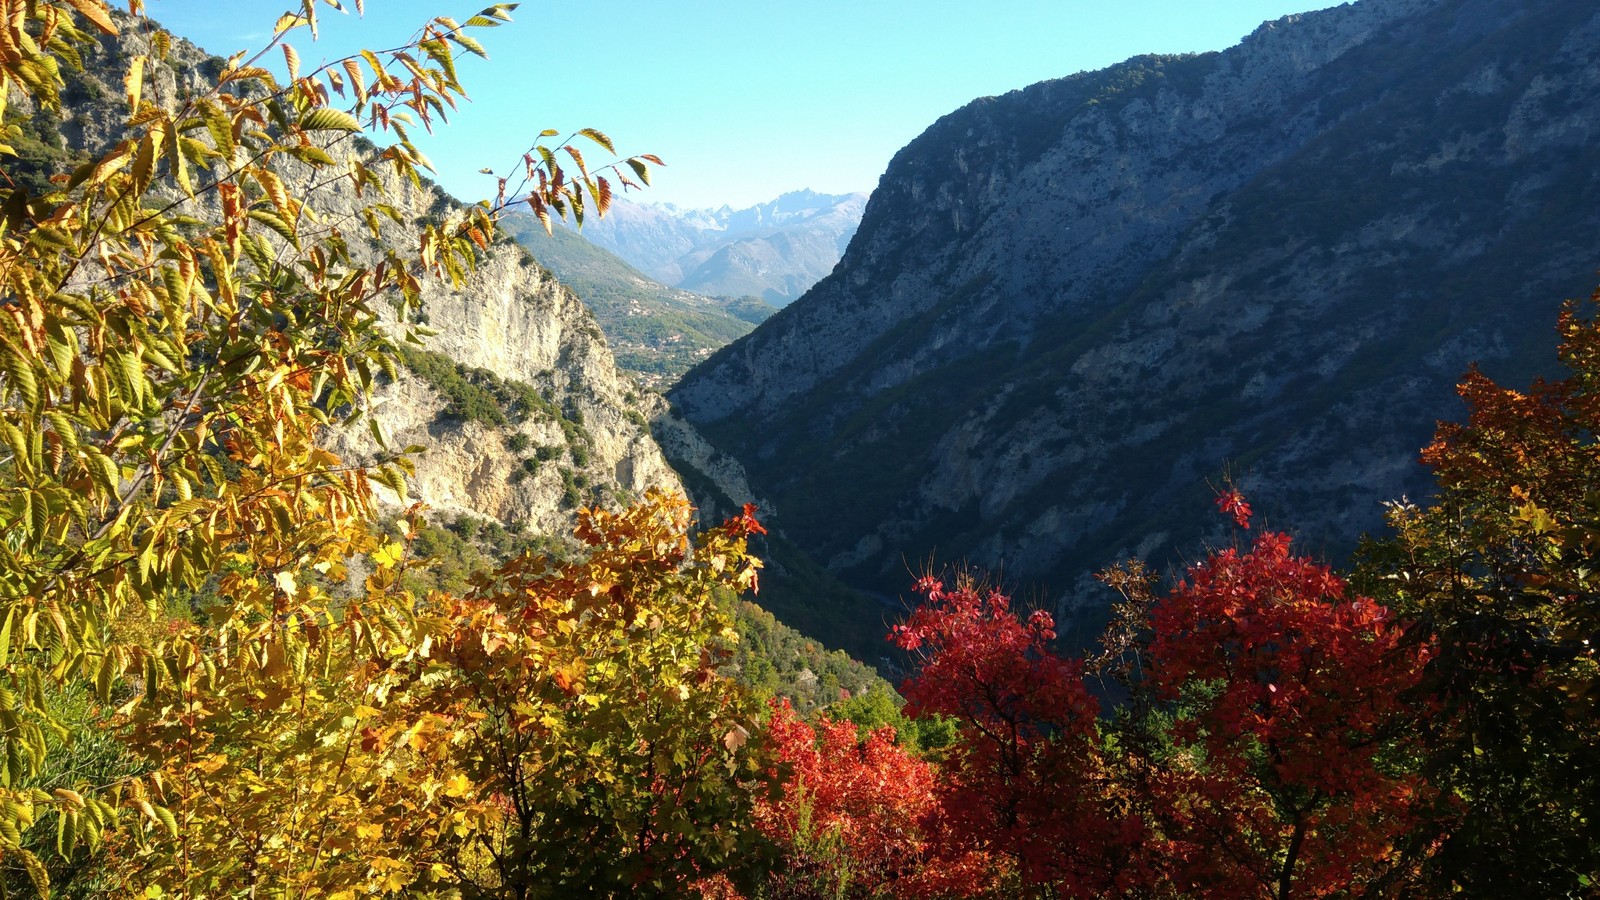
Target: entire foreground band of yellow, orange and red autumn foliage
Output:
[(223, 677)]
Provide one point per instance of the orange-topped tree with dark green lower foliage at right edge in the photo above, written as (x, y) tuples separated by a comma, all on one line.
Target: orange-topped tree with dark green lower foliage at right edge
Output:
[(1500, 573)]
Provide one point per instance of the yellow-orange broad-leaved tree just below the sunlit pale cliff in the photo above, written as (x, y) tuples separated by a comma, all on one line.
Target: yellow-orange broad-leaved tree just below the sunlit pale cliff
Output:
[(606, 749)]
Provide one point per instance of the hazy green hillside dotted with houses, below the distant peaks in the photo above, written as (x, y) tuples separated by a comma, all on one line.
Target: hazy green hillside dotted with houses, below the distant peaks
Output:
[(655, 332)]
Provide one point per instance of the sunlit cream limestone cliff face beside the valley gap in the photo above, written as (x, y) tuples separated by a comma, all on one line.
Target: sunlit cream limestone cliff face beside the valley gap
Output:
[(514, 321)]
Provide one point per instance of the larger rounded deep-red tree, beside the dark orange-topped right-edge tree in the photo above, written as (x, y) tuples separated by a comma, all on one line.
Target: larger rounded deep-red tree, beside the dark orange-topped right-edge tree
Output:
[(1286, 773)]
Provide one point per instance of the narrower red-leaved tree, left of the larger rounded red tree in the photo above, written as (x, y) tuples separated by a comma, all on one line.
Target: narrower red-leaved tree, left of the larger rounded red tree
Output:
[(1026, 800)]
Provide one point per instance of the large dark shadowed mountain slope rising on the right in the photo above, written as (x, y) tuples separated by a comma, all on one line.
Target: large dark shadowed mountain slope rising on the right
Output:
[(1071, 311)]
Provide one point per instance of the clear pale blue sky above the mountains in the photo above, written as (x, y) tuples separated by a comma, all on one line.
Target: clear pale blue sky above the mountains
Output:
[(743, 100)]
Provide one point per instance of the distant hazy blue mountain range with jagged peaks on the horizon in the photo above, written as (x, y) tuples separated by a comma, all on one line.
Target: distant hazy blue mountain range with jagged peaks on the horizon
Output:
[(774, 251)]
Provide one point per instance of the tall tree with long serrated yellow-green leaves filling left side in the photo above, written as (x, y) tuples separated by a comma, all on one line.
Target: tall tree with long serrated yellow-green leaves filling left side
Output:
[(180, 323)]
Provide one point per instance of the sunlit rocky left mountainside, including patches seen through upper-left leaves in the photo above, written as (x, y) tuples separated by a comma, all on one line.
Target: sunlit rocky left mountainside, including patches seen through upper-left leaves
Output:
[(567, 427)]
